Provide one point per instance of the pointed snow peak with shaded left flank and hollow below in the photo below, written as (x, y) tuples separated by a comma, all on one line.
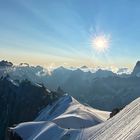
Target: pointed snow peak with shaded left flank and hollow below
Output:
[(69, 113)]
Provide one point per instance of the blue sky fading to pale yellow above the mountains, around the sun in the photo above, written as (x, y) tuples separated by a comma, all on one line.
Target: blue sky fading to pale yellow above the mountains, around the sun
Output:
[(61, 32)]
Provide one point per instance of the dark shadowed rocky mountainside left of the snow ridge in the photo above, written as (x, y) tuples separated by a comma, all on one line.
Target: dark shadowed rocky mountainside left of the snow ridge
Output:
[(21, 103)]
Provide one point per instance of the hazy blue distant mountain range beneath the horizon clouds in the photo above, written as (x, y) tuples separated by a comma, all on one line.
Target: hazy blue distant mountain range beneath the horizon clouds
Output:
[(102, 89)]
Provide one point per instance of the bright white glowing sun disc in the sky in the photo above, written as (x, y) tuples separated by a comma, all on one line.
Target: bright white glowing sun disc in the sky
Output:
[(100, 43)]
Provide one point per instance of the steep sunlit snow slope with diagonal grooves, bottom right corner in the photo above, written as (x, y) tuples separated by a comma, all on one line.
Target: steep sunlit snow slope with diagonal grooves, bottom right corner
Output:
[(123, 126)]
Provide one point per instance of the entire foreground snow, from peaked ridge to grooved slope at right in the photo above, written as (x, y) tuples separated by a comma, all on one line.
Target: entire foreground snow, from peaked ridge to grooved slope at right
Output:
[(67, 119)]
